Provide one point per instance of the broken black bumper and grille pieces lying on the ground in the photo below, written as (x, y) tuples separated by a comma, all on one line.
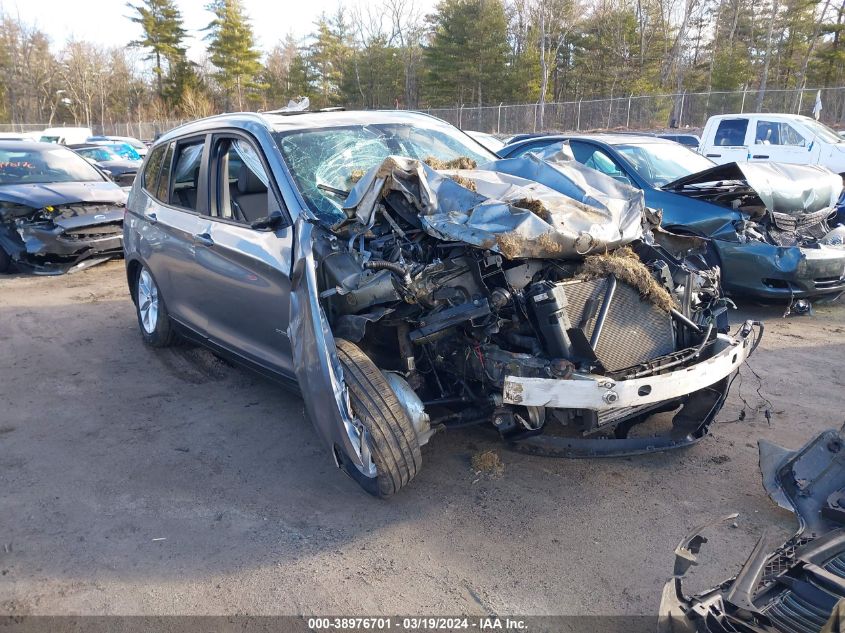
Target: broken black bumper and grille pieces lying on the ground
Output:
[(796, 587)]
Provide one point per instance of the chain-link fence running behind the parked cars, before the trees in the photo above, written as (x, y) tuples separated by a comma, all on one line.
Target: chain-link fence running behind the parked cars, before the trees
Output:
[(629, 112)]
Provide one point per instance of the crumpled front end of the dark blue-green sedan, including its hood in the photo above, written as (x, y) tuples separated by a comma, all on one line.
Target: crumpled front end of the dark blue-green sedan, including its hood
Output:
[(786, 244)]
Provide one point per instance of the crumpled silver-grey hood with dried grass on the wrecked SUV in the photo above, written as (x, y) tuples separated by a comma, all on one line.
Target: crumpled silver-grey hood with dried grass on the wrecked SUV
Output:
[(537, 206)]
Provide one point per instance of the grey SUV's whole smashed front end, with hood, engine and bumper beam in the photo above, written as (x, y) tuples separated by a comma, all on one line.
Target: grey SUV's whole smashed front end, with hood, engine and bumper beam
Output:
[(538, 295)]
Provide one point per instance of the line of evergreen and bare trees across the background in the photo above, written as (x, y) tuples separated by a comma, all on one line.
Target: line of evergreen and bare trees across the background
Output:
[(392, 55)]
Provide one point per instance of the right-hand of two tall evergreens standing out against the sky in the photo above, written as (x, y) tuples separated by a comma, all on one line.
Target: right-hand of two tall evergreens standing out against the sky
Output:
[(232, 50)]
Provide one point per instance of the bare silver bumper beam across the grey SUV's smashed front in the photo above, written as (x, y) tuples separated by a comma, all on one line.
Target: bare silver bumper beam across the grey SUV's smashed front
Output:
[(599, 393)]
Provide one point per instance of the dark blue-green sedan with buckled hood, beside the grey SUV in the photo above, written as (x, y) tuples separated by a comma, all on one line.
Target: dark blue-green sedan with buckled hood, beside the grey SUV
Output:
[(781, 252)]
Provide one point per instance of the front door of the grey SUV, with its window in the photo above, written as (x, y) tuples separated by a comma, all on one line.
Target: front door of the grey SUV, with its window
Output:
[(246, 268)]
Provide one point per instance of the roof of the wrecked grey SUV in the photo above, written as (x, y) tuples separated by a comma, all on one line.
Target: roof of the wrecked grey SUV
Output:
[(291, 121)]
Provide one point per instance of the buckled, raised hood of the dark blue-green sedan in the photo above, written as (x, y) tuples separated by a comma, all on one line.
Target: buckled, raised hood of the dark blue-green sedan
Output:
[(783, 188)]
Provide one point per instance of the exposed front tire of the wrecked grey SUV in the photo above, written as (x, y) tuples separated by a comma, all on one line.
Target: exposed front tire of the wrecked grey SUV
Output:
[(393, 442)]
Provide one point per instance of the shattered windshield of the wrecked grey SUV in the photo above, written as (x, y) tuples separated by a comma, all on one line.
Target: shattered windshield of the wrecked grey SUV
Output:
[(327, 162)]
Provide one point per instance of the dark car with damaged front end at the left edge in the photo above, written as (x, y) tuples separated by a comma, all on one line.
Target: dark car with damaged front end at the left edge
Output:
[(57, 212)]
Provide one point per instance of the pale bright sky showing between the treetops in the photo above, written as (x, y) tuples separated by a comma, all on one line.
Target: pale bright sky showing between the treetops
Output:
[(105, 22)]
